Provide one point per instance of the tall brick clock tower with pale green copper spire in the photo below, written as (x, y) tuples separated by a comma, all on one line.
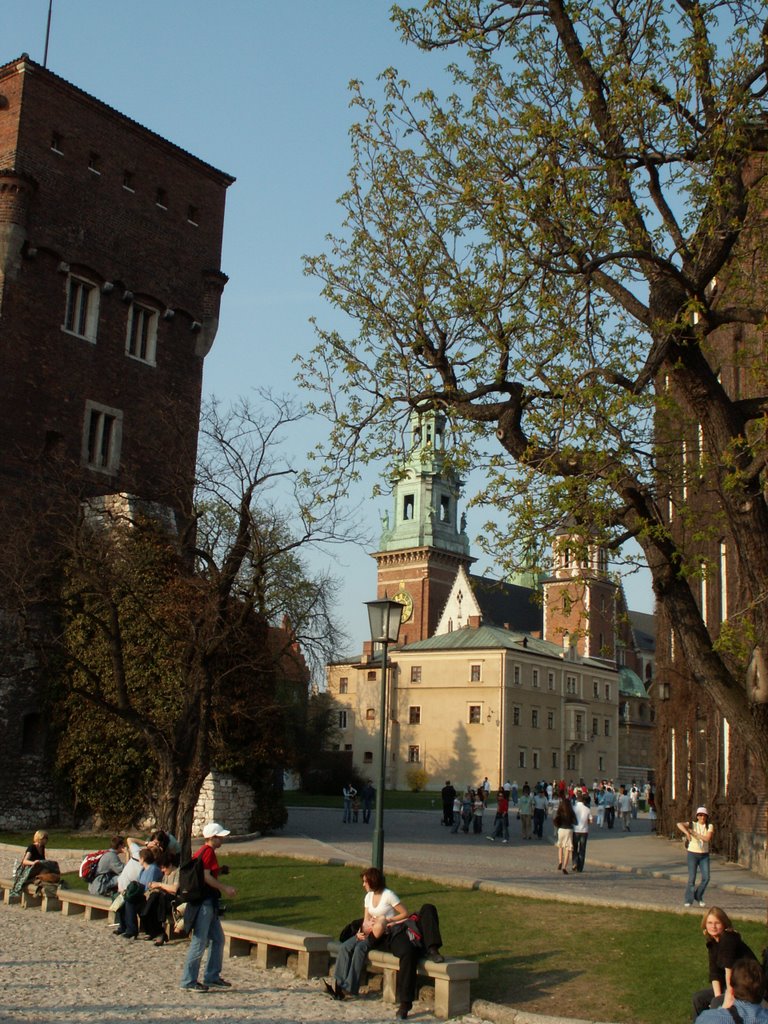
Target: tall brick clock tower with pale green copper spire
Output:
[(423, 548)]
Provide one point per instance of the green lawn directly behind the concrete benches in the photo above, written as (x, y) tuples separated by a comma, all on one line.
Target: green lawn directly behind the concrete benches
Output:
[(600, 964)]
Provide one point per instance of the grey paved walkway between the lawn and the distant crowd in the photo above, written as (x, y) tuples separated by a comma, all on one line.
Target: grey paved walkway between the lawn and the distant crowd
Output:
[(636, 869)]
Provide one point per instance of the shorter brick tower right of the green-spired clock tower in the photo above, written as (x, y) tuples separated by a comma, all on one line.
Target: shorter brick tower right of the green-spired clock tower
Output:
[(580, 599)]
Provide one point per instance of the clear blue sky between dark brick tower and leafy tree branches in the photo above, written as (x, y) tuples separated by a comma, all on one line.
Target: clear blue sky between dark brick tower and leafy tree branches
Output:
[(260, 90)]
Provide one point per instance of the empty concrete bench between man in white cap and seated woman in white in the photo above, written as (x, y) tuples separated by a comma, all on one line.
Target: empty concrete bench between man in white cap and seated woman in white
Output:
[(272, 946)]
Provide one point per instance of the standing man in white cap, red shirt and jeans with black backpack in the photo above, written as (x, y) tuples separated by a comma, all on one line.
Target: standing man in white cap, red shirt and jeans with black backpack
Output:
[(203, 919)]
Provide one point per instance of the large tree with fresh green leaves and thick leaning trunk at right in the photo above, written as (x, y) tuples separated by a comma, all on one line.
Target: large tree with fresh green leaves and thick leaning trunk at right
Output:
[(567, 255)]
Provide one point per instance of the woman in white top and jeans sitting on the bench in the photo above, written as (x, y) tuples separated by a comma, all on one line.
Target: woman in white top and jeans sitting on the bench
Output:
[(382, 910)]
